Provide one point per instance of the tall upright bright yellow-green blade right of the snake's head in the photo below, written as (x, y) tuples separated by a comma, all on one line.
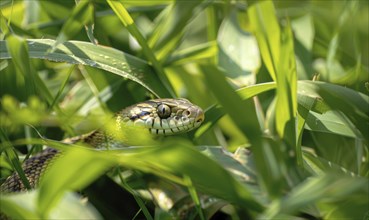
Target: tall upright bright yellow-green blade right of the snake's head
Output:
[(276, 43)]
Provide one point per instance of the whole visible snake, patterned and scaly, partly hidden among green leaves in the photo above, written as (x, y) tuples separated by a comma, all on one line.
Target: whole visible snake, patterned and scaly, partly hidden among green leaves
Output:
[(160, 117)]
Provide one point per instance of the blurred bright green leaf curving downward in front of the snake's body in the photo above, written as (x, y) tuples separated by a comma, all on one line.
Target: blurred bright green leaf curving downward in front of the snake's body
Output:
[(87, 166)]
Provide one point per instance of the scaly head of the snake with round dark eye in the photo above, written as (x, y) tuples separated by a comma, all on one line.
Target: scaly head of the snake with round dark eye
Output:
[(163, 116)]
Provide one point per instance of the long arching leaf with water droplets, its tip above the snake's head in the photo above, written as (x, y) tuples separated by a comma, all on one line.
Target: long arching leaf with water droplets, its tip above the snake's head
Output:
[(105, 58)]
